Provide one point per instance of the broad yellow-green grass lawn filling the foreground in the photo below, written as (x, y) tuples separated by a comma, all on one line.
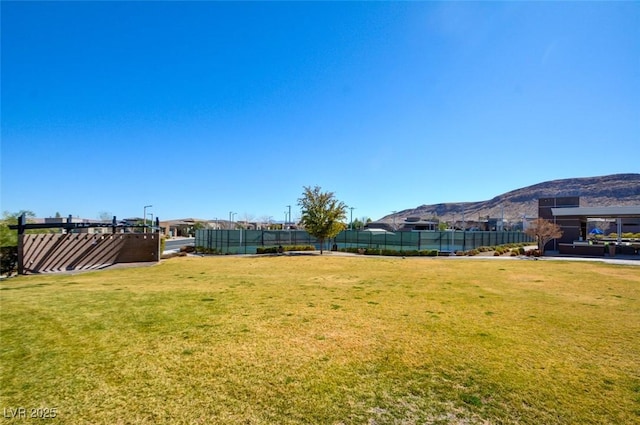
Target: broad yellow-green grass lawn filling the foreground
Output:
[(325, 340)]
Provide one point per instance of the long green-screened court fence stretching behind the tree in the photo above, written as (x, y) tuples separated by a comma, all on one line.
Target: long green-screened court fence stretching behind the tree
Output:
[(247, 241)]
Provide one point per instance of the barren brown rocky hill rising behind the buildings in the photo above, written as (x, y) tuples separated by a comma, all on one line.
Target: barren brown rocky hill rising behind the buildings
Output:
[(612, 190)]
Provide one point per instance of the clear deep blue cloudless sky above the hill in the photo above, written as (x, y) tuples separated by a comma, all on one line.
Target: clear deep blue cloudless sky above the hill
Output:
[(203, 108)]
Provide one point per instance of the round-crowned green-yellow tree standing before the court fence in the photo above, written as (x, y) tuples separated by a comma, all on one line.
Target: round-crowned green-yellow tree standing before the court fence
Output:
[(322, 214)]
